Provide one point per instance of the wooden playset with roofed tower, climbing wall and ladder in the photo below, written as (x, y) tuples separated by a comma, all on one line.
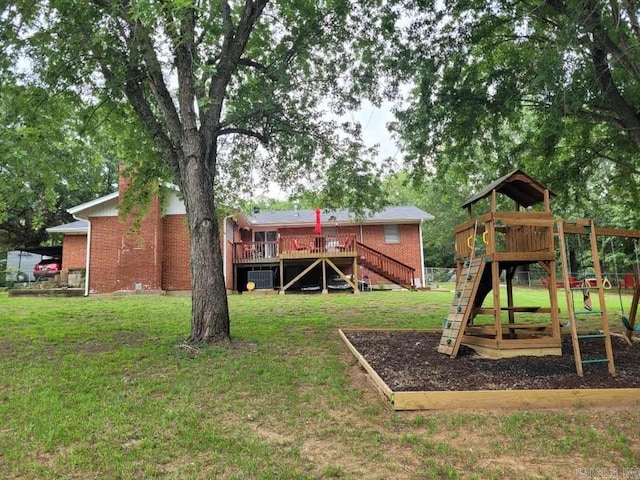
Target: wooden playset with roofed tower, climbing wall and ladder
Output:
[(491, 243)]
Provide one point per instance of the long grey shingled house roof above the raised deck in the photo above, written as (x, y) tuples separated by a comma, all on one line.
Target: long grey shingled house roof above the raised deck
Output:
[(401, 214)]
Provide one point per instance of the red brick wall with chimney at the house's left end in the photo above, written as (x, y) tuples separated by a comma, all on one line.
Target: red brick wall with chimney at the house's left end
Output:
[(120, 258)]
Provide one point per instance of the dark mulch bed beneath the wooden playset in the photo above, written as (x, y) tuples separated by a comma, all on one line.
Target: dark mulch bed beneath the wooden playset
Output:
[(408, 361)]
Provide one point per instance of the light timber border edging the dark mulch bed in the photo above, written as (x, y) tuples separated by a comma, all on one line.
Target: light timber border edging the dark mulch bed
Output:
[(490, 399)]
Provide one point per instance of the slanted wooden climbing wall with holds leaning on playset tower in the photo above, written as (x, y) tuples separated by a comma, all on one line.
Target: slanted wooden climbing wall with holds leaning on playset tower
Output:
[(462, 306)]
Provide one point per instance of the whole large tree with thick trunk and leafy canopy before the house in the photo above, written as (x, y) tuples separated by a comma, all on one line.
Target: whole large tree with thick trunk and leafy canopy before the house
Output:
[(224, 90)]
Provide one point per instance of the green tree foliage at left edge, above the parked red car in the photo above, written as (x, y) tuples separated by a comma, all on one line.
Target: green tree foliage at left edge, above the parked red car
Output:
[(47, 162)]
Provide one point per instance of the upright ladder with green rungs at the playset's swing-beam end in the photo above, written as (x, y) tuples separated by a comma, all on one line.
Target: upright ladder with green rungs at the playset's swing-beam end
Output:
[(604, 334)]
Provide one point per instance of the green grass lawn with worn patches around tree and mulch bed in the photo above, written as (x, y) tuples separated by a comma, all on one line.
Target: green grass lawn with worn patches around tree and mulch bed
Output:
[(102, 388)]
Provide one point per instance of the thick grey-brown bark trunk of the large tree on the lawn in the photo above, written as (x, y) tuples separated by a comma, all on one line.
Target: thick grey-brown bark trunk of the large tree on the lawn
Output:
[(209, 311)]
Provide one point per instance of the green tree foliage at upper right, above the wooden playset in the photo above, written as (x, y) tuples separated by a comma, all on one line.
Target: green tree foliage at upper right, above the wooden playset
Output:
[(548, 86)]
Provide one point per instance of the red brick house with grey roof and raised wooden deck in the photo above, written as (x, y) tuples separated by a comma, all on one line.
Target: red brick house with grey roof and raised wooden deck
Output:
[(276, 250)]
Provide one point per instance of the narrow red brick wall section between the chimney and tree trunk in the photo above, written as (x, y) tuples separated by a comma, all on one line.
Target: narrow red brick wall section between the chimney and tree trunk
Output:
[(175, 266)]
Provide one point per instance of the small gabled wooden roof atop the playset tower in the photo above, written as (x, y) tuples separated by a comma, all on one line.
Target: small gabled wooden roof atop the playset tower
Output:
[(516, 185)]
